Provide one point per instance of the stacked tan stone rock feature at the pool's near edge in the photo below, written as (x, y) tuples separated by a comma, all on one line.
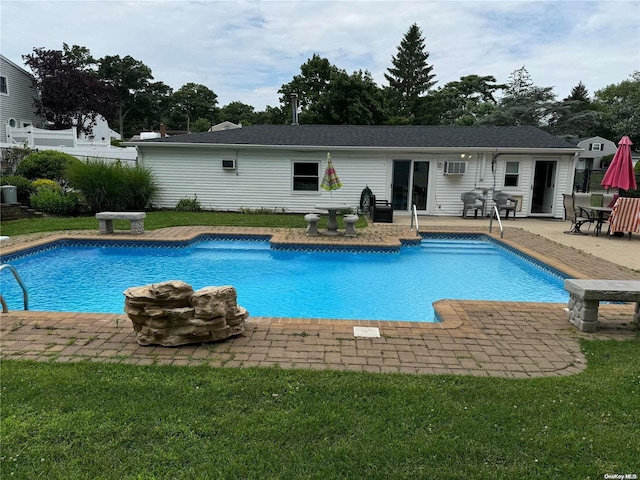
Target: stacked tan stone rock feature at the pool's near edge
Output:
[(171, 313)]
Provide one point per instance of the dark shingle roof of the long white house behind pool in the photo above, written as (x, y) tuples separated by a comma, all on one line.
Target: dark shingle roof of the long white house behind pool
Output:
[(383, 136)]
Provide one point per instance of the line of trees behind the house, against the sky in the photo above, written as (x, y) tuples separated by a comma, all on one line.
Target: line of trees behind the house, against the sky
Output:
[(73, 87)]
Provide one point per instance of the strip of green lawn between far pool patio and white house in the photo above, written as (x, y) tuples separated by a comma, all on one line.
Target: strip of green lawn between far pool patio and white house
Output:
[(162, 219)]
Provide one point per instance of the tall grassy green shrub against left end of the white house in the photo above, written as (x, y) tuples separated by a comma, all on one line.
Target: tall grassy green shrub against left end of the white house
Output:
[(112, 186)]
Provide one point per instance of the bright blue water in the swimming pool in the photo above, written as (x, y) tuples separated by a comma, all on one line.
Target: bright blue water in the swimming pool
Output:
[(356, 284)]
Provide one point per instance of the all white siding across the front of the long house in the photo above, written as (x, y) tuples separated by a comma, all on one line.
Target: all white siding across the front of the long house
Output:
[(264, 178)]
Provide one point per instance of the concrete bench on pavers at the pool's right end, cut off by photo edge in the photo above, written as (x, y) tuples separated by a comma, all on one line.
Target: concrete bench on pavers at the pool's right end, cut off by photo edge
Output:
[(585, 297)]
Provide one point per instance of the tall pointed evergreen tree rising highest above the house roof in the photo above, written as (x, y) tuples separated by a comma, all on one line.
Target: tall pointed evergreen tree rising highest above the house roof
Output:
[(410, 76)]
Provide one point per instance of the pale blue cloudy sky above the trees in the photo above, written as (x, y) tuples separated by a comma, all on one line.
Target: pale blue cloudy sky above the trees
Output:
[(246, 50)]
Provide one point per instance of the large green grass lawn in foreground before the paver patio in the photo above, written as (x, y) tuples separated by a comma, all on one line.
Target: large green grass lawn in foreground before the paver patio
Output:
[(87, 420)]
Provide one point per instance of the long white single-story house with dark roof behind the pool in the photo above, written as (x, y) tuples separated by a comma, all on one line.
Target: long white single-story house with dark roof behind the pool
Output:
[(281, 166)]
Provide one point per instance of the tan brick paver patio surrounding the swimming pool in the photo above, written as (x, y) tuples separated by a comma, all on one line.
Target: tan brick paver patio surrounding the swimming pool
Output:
[(505, 339)]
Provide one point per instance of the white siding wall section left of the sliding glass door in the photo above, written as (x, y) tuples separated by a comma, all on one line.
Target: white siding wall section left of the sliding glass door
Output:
[(262, 179)]
